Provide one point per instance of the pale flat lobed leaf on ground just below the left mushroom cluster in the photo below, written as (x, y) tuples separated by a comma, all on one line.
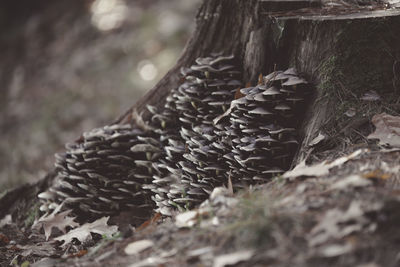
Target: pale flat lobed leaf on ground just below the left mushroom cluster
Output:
[(83, 233)]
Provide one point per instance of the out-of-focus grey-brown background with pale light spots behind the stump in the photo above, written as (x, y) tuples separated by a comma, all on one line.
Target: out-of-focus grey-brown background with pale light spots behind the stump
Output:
[(69, 66)]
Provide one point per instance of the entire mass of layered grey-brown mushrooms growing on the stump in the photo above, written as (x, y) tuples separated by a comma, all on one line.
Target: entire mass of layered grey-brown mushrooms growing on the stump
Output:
[(207, 132)]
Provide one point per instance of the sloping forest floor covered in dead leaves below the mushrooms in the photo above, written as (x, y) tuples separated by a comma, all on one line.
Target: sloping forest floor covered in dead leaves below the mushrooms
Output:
[(341, 212)]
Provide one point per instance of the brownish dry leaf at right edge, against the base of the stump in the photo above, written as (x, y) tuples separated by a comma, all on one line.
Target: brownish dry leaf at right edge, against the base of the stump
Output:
[(387, 129)]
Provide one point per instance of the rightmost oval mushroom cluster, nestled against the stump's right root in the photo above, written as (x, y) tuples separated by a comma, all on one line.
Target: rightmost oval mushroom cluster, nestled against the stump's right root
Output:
[(263, 125)]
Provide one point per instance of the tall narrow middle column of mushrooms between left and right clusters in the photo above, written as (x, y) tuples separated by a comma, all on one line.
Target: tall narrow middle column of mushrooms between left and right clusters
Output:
[(192, 166)]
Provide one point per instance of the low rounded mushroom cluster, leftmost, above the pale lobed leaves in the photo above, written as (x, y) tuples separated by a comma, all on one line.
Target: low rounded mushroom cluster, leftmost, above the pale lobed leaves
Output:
[(103, 172)]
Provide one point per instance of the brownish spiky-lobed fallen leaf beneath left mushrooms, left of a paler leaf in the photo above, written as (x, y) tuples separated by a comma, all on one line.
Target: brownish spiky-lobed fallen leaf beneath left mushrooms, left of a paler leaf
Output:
[(55, 219)]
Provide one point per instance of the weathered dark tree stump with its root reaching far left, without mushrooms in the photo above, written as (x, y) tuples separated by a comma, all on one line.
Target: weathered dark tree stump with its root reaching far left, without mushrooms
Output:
[(344, 51)]
